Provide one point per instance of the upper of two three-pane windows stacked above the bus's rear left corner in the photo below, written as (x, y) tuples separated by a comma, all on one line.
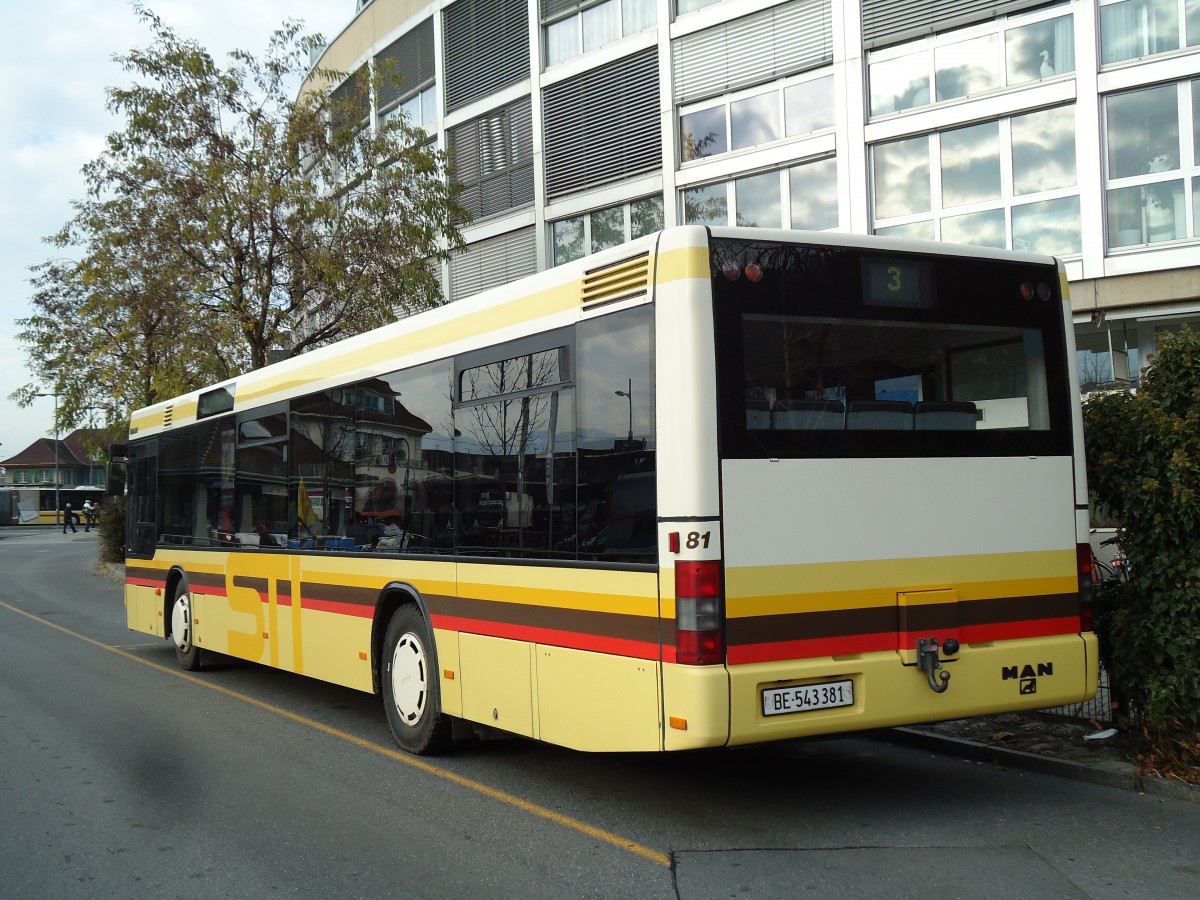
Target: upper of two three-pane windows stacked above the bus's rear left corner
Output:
[(754, 118)]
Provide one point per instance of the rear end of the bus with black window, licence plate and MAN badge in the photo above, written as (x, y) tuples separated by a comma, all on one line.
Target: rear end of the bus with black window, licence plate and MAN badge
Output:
[(899, 491)]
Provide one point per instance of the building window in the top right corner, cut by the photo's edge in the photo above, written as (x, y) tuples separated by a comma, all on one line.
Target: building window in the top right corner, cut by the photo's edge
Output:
[(1132, 29)]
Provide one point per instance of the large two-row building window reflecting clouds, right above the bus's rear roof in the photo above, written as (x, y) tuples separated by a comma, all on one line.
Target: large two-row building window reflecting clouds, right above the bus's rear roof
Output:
[(1007, 183)]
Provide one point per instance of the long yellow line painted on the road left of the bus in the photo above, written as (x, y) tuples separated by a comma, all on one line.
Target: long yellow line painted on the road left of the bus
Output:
[(391, 753)]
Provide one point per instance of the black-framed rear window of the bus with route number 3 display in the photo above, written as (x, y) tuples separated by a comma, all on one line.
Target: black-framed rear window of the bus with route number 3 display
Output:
[(826, 353)]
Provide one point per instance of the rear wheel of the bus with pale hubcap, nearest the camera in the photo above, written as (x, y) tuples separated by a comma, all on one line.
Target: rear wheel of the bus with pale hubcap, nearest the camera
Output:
[(411, 686)]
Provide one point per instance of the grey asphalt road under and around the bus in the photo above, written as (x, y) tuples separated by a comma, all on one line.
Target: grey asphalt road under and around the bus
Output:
[(123, 777)]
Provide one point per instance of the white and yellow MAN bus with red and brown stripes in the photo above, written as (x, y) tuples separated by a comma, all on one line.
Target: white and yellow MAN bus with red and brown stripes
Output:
[(712, 488)]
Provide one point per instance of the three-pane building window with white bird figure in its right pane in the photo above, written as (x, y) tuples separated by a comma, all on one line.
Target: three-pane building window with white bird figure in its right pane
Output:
[(941, 68)]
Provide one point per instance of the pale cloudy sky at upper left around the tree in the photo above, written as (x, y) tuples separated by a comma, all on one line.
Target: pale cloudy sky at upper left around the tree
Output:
[(56, 65)]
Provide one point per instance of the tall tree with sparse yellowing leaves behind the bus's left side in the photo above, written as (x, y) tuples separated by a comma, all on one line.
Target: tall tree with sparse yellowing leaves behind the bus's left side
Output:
[(227, 220)]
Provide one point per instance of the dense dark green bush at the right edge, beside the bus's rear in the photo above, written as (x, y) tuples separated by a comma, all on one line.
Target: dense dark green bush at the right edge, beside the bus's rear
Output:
[(1144, 465)]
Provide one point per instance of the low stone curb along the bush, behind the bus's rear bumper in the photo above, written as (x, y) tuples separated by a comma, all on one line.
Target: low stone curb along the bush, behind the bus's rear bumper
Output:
[(1126, 779)]
